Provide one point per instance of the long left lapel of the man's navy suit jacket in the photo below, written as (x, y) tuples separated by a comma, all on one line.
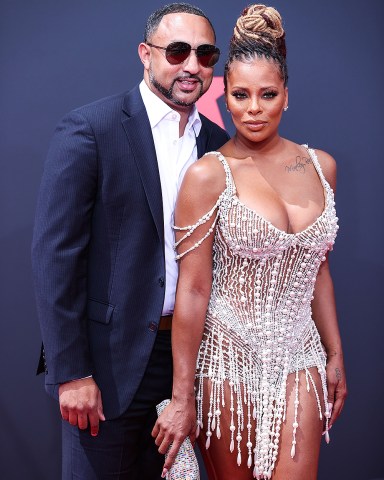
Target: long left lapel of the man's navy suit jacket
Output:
[(139, 134)]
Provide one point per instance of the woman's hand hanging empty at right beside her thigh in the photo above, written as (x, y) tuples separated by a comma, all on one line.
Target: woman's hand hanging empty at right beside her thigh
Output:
[(337, 386)]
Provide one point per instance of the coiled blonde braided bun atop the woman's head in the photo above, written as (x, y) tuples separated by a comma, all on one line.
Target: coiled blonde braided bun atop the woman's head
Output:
[(262, 24)]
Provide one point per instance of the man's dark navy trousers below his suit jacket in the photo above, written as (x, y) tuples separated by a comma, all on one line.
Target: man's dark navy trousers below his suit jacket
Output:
[(124, 448)]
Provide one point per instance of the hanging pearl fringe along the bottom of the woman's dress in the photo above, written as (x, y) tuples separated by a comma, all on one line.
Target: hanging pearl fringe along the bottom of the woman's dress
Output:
[(254, 394)]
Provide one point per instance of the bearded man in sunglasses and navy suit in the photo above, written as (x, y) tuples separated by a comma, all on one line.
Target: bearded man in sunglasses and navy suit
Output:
[(102, 253)]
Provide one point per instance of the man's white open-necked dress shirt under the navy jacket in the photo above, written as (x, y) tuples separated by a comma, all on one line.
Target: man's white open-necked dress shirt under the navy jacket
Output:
[(174, 155)]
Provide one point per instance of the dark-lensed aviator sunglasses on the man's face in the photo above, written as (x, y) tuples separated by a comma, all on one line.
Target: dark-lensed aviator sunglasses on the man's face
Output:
[(177, 52)]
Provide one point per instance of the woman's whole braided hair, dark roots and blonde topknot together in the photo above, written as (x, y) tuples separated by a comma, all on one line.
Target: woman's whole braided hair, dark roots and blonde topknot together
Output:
[(258, 33)]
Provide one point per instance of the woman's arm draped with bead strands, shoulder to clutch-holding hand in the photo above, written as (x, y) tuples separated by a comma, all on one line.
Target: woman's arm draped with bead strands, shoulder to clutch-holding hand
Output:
[(201, 188)]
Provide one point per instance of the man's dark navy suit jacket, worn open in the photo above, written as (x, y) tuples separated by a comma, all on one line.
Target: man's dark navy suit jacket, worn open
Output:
[(98, 247)]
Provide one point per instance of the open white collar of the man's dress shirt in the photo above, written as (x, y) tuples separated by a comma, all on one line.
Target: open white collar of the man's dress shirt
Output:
[(157, 110)]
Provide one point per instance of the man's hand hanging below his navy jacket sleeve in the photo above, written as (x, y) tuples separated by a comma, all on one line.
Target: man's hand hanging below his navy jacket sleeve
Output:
[(80, 403)]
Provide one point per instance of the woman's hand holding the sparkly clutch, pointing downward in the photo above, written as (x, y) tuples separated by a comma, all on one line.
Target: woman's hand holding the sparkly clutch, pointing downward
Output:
[(176, 422)]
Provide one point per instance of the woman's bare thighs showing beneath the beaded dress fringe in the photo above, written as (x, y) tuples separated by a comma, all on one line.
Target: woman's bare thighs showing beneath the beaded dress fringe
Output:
[(221, 464)]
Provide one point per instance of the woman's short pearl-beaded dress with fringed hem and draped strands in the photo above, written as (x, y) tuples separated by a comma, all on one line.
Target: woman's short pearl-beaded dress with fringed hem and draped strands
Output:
[(259, 325)]
